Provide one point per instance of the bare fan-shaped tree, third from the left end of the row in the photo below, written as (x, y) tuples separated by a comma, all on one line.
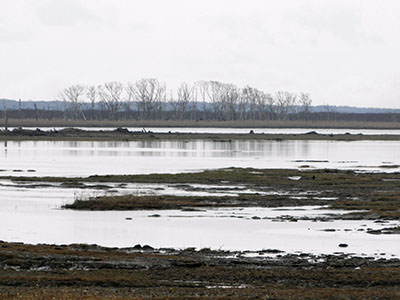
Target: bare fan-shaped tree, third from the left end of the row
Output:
[(110, 95)]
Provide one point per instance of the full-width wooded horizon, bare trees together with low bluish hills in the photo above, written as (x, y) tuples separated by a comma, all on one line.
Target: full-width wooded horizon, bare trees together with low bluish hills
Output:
[(149, 99)]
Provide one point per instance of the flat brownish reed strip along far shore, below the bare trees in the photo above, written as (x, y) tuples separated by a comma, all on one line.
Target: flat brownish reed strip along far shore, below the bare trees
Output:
[(201, 124)]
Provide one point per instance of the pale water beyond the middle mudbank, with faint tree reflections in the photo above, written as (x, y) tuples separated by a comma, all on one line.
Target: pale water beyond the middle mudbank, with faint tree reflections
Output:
[(66, 158)]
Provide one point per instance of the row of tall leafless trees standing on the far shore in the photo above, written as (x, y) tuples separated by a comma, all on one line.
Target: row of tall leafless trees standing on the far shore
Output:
[(149, 99)]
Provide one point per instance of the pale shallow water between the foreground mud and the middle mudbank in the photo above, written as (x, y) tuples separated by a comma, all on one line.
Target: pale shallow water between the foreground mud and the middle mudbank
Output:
[(34, 216)]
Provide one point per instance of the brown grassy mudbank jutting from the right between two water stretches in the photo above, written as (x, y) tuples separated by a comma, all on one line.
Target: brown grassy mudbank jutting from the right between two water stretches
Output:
[(373, 195)]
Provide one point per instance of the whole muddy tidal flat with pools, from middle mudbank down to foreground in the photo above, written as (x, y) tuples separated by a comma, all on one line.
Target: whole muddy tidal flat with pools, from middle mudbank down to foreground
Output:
[(231, 233)]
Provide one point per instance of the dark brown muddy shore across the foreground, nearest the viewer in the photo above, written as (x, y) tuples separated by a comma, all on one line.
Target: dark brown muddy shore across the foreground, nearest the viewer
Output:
[(140, 272)]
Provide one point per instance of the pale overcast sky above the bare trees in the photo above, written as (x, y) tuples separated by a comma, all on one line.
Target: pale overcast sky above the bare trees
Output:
[(343, 52)]
